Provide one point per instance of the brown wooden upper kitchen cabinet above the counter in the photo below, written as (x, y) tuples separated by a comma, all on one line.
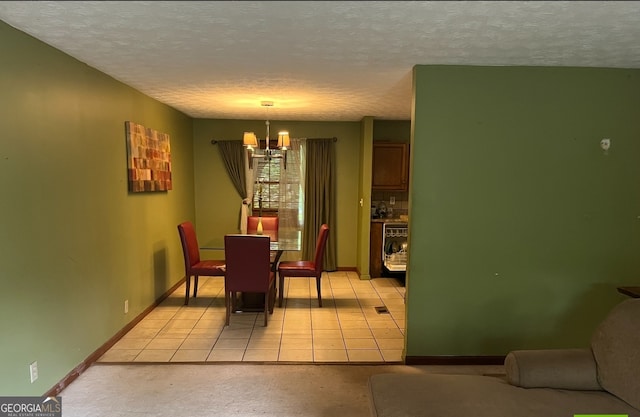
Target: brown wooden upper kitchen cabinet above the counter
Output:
[(390, 166)]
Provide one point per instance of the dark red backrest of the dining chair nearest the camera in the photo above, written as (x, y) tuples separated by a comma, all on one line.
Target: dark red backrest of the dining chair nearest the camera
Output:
[(247, 263)]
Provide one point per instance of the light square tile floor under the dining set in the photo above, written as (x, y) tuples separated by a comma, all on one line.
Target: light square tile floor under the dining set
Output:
[(347, 328)]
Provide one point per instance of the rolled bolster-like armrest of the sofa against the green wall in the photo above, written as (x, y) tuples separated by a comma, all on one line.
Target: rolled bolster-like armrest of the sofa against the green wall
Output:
[(573, 369)]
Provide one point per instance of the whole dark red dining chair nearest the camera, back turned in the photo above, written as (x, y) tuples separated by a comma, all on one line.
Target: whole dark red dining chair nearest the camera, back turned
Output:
[(248, 270)]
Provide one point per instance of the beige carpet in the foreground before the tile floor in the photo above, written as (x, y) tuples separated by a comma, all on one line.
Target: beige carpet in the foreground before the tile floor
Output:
[(230, 390)]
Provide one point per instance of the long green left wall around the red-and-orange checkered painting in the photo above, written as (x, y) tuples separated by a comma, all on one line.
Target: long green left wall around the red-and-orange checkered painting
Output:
[(74, 244)]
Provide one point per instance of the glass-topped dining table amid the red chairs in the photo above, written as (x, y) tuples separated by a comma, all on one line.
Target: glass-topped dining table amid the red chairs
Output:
[(280, 241)]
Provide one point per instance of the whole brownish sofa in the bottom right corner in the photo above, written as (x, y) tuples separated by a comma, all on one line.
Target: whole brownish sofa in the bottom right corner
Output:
[(602, 379)]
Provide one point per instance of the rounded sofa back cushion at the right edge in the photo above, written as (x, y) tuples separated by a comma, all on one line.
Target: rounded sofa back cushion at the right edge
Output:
[(616, 349)]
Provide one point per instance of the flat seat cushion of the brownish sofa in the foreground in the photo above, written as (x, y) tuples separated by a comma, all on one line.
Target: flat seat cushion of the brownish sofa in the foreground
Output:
[(433, 395)]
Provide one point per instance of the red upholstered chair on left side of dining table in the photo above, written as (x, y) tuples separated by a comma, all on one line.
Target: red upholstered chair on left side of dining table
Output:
[(193, 265)]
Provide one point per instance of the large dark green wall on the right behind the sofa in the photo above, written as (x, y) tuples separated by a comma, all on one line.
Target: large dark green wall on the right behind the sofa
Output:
[(521, 226)]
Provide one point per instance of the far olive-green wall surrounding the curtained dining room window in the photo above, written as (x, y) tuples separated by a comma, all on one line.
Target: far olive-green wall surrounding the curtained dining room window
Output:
[(218, 204)]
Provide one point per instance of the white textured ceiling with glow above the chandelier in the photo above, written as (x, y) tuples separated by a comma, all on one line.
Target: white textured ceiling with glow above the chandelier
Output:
[(322, 60)]
